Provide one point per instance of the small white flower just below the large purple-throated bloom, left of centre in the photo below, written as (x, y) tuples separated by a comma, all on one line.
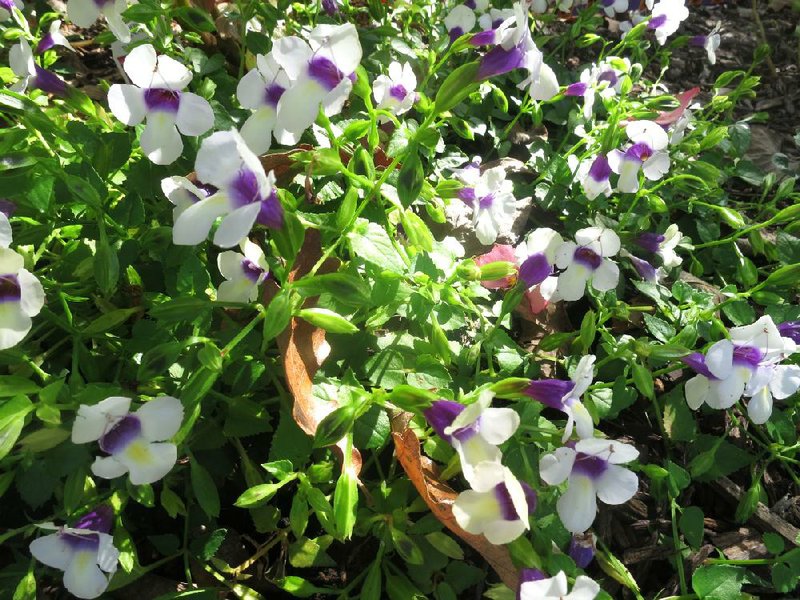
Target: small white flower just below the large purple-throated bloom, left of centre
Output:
[(243, 272)]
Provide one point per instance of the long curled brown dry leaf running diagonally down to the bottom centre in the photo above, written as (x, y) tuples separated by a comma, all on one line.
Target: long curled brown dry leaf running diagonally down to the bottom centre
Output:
[(439, 497)]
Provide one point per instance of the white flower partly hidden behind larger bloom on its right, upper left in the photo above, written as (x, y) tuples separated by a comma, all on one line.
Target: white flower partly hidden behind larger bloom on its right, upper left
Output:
[(260, 90)]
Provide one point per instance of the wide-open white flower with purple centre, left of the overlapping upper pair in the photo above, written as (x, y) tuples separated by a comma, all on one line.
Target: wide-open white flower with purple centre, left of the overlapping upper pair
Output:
[(157, 97)]
